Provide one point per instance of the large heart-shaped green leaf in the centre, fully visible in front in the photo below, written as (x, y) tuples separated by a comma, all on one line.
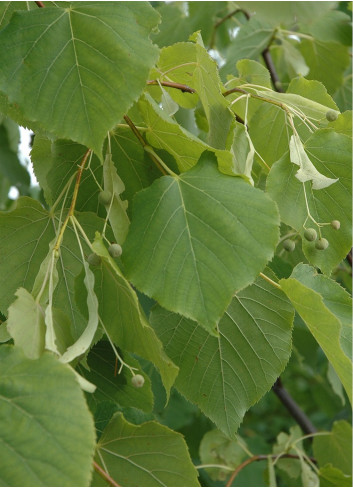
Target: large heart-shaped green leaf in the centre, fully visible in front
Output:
[(199, 229)]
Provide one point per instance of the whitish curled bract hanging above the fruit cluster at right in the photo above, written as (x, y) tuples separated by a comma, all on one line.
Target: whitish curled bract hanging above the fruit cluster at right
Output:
[(307, 171)]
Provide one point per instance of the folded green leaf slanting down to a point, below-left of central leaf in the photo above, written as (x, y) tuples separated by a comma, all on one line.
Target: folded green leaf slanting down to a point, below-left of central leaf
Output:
[(124, 320)]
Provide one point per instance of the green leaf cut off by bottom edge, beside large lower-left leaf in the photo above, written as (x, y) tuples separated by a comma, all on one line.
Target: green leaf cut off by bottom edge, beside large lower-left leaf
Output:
[(145, 455)]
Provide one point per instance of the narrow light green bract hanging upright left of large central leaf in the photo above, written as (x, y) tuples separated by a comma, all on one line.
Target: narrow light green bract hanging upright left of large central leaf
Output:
[(116, 209)]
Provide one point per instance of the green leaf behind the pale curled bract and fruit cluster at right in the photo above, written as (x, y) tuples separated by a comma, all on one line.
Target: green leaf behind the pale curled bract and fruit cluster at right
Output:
[(330, 152)]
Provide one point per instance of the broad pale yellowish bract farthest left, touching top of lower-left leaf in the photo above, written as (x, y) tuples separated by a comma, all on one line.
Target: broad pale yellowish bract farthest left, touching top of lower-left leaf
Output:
[(26, 324)]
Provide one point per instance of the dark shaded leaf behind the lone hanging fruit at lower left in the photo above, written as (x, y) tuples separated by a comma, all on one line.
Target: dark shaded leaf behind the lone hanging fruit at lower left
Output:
[(113, 386)]
